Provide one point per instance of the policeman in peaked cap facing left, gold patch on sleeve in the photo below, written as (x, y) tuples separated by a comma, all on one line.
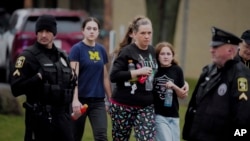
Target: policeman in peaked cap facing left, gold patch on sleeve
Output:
[(219, 107)]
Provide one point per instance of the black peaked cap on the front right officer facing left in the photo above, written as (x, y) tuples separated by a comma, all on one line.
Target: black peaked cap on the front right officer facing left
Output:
[(221, 37)]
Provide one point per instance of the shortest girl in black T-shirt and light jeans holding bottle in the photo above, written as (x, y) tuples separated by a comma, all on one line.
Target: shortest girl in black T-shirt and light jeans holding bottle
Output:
[(168, 83)]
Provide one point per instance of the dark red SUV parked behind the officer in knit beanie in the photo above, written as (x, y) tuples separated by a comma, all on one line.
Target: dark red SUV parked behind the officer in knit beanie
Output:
[(21, 33)]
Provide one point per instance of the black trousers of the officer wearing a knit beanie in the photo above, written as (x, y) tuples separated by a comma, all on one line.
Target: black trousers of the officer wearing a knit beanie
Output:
[(40, 128)]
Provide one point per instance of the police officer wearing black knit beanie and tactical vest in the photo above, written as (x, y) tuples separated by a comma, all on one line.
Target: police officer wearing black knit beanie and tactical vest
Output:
[(42, 73)]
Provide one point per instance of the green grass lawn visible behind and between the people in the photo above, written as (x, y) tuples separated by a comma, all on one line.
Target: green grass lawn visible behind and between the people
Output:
[(12, 127)]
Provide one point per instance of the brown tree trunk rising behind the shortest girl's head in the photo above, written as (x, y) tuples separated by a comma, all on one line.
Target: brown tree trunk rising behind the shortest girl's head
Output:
[(163, 14)]
